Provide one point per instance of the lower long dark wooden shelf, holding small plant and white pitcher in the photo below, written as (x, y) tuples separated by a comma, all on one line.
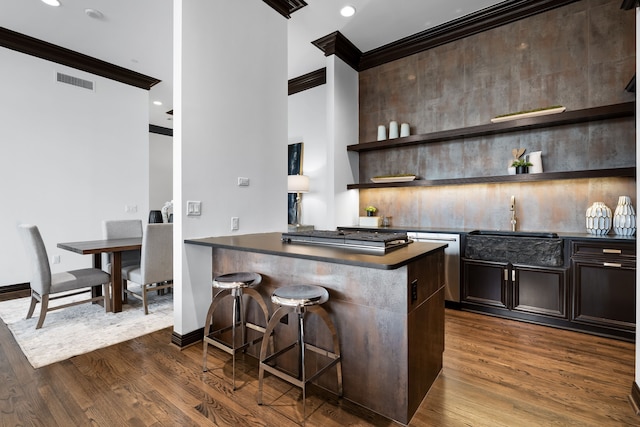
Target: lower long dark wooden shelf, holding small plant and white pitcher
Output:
[(528, 177)]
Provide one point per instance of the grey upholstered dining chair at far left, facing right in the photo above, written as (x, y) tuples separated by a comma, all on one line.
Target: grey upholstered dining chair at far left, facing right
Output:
[(45, 285)]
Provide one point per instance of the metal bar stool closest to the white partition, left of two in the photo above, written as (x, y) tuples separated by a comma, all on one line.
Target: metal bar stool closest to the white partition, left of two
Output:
[(236, 285)]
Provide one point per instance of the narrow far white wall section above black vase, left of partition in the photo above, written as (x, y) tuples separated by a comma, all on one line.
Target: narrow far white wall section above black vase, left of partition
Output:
[(160, 170)]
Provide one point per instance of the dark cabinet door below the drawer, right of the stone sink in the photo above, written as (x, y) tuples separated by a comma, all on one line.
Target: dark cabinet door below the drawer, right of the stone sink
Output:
[(604, 294)]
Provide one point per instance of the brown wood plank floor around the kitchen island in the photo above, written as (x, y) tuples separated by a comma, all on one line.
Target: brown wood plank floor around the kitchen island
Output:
[(496, 373)]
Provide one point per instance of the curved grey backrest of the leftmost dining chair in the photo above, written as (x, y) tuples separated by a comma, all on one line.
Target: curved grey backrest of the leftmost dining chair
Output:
[(38, 259)]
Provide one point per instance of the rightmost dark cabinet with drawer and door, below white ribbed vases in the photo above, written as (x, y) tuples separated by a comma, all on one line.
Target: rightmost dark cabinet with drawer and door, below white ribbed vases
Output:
[(604, 284)]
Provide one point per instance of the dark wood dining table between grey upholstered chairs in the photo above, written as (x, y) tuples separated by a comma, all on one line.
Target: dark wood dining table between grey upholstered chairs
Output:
[(113, 246)]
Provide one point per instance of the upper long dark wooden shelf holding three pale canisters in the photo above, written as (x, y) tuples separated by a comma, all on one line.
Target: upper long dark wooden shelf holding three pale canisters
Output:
[(626, 109)]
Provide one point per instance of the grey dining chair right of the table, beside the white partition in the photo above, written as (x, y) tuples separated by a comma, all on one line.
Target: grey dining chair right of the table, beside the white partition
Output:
[(155, 271)]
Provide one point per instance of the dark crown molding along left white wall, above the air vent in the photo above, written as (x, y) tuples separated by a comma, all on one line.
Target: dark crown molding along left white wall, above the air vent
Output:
[(50, 52)]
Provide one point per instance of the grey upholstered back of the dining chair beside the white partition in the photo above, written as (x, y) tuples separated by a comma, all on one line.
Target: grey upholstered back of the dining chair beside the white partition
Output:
[(157, 253)]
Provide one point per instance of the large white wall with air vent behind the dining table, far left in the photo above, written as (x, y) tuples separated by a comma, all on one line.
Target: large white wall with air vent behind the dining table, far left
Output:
[(70, 158)]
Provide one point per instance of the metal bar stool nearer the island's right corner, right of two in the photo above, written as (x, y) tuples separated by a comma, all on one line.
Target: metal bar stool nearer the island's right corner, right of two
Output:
[(299, 299)]
